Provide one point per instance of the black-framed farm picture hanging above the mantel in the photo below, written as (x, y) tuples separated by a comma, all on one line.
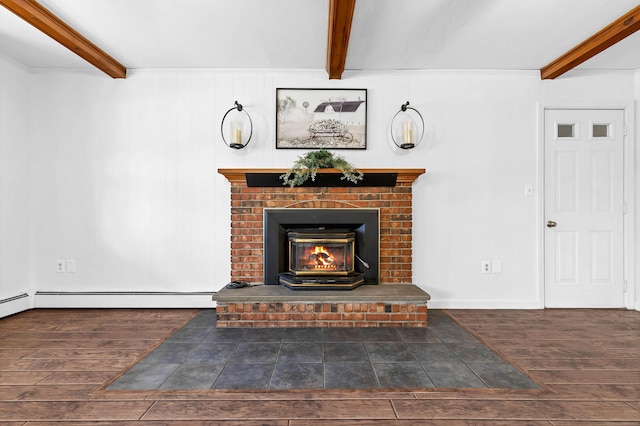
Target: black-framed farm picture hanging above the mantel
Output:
[(321, 118)]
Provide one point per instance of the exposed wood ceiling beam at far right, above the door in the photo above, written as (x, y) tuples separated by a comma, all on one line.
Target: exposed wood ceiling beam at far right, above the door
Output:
[(603, 39)]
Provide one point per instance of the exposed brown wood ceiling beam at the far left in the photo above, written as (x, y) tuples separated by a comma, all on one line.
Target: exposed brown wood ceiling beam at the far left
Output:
[(41, 18)]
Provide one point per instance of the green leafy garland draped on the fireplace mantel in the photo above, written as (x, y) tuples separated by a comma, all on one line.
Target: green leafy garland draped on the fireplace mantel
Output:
[(307, 166)]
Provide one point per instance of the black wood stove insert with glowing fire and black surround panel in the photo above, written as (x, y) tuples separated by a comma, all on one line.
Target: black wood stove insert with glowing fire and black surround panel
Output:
[(323, 249)]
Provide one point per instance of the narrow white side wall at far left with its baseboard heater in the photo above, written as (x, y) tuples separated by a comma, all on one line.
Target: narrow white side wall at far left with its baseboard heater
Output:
[(14, 187)]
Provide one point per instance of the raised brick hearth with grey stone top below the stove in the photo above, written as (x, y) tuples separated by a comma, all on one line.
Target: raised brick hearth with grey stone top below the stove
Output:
[(366, 306)]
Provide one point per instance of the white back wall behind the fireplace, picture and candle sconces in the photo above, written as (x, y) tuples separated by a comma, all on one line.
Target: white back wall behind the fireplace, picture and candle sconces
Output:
[(124, 173)]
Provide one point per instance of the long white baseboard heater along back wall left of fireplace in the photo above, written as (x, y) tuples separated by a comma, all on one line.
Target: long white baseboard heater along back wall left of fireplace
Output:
[(164, 300)]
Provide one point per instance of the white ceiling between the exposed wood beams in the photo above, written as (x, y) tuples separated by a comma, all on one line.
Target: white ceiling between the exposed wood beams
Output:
[(292, 34)]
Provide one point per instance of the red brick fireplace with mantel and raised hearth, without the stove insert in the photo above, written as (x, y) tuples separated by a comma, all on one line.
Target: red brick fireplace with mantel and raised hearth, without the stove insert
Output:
[(394, 202)]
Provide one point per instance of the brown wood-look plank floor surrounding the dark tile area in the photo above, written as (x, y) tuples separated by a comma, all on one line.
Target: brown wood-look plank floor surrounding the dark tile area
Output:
[(54, 365)]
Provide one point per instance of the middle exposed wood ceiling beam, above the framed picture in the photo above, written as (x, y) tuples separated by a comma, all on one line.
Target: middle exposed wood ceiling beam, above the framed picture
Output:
[(340, 19)]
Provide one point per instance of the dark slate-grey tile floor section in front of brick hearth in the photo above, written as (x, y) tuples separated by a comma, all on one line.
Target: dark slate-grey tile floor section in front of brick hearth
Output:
[(199, 356)]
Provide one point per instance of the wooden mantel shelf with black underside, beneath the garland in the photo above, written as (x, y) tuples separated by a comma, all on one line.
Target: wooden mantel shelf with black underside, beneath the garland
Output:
[(325, 177)]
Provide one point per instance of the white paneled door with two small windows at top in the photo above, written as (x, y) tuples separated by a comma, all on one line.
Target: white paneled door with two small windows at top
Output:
[(584, 208)]
